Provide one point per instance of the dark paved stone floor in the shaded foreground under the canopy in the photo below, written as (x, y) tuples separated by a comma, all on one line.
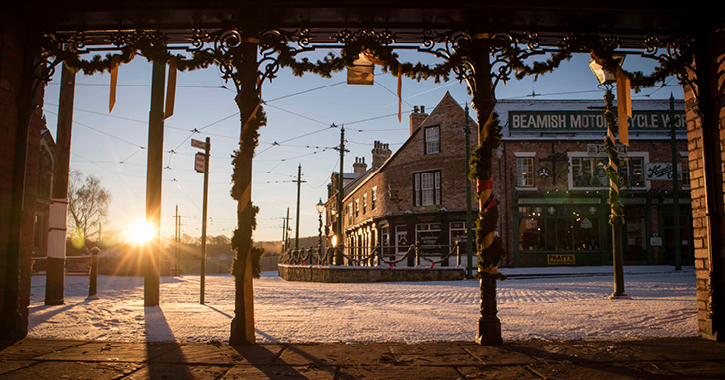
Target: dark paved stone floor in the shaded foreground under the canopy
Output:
[(664, 358)]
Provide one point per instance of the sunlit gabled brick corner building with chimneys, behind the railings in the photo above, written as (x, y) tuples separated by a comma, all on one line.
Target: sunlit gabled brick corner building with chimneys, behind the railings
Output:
[(414, 194)]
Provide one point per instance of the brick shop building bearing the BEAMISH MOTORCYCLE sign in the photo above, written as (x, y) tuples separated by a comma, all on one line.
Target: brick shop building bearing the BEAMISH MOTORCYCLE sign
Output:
[(552, 187)]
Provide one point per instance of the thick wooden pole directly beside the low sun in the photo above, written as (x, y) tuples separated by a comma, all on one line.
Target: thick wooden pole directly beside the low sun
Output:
[(154, 174)]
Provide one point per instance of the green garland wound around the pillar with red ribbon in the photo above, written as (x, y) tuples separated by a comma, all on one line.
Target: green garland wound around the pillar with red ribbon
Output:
[(487, 220)]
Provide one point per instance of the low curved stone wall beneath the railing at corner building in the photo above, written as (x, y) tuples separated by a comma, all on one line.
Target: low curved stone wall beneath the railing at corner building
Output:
[(322, 273)]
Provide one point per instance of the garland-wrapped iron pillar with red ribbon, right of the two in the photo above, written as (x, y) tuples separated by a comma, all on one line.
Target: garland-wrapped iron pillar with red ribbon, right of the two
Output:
[(489, 327)]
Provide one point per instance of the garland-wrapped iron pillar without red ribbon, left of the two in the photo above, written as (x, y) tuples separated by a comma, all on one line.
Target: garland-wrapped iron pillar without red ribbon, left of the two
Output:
[(248, 100)]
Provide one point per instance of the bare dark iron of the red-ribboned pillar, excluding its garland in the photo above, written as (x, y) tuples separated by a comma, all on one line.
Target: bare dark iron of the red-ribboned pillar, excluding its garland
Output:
[(489, 327)]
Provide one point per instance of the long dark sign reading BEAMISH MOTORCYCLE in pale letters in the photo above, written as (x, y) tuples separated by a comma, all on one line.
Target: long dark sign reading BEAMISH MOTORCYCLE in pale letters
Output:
[(589, 121)]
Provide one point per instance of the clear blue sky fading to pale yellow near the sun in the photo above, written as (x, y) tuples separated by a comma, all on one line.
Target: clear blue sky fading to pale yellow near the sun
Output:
[(300, 112)]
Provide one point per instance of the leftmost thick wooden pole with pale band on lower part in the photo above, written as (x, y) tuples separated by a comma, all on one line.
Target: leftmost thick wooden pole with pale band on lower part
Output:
[(55, 277)]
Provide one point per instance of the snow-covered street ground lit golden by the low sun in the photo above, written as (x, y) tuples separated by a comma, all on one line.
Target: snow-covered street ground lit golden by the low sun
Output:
[(663, 305)]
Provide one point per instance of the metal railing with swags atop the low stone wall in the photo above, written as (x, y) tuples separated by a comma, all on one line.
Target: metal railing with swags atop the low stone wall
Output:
[(312, 256)]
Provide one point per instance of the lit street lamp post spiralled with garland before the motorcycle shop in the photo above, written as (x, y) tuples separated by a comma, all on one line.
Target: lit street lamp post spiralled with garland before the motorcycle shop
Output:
[(616, 219)]
